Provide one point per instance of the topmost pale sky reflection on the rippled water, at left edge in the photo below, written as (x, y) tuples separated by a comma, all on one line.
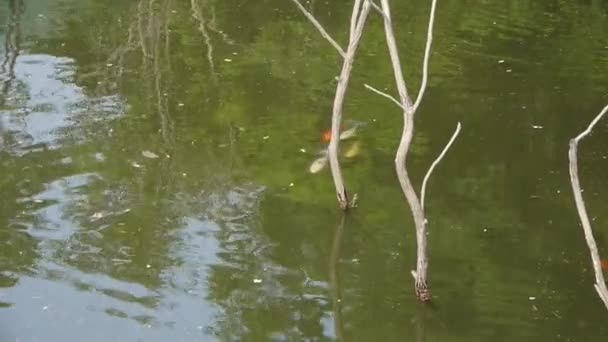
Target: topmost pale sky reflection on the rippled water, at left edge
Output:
[(43, 107)]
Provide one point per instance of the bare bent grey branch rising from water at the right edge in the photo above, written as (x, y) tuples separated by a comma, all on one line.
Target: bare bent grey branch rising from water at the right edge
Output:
[(600, 283)]
